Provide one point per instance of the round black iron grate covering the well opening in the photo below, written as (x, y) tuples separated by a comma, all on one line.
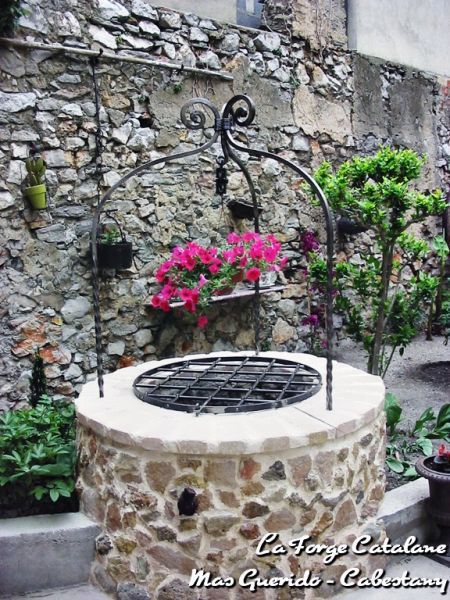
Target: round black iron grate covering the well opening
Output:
[(227, 384)]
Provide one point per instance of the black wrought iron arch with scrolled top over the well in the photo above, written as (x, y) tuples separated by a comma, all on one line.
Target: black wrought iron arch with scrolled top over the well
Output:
[(238, 111)]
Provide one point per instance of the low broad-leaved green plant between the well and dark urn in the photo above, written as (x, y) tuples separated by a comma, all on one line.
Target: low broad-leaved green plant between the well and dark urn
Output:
[(418, 440)]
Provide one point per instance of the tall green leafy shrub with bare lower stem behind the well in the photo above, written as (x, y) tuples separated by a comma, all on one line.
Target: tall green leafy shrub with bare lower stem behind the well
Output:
[(382, 307)]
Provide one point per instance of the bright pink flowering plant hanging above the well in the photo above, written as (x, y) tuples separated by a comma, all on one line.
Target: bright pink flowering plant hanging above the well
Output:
[(194, 273)]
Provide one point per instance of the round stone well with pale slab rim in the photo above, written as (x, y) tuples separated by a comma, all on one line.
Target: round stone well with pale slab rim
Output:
[(297, 470)]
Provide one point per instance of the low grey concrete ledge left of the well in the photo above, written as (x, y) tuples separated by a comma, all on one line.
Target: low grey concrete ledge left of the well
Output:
[(44, 552)]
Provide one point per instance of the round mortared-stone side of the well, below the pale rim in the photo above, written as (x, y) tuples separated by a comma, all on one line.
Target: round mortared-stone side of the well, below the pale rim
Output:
[(328, 491)]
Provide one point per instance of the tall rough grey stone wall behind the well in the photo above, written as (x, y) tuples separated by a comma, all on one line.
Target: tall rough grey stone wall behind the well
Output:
[(314, 99)]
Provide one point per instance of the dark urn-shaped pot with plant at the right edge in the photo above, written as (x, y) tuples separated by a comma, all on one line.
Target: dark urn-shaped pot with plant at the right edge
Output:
[(437, 470)]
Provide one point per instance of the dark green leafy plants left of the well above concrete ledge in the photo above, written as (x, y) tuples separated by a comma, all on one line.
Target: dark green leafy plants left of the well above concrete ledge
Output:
[(37, 452)]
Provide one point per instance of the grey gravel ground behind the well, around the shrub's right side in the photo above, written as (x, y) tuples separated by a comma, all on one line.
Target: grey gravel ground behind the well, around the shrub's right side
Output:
[(410, 377)]
